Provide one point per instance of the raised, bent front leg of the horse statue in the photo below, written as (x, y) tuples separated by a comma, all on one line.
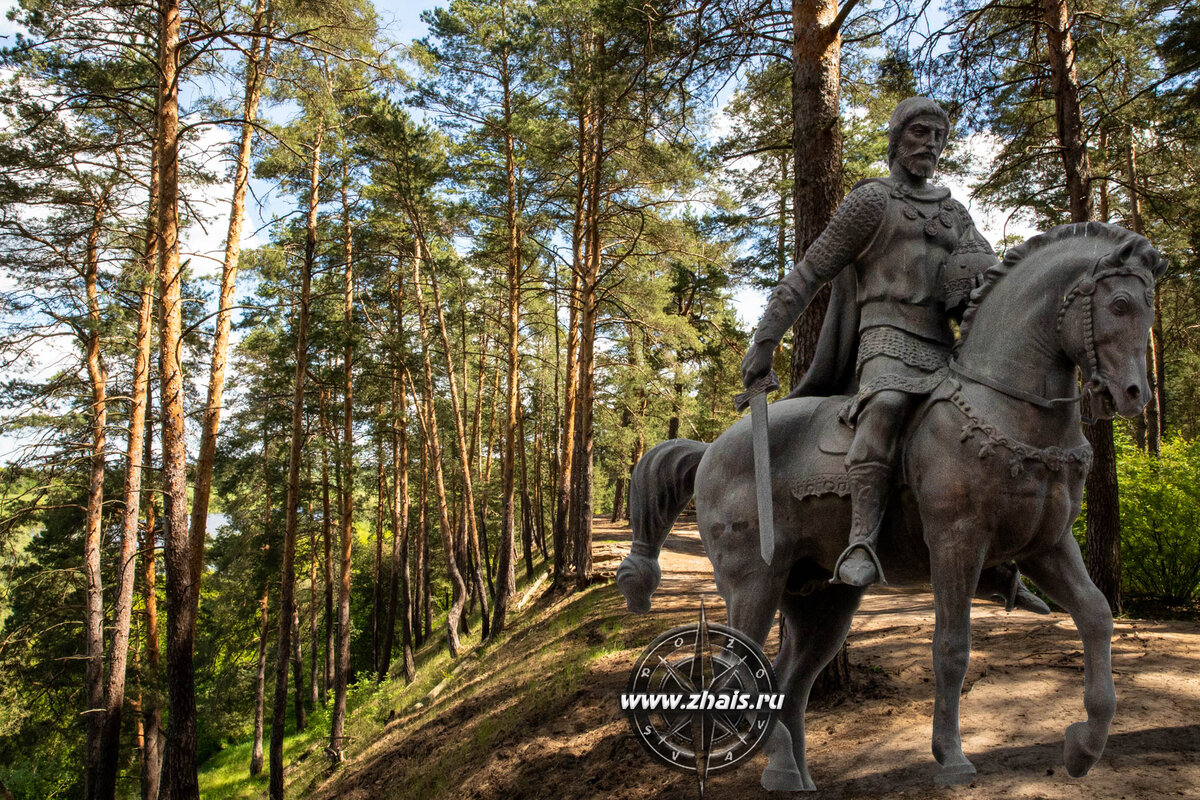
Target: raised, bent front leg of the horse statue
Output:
[(1060, 573)]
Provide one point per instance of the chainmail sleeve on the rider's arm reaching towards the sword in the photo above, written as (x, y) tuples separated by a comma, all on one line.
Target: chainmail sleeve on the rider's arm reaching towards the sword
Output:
[(847, 236)]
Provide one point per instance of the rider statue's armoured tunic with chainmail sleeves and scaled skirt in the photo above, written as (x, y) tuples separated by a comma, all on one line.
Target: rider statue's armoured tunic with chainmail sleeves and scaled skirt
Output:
[(917, 256)]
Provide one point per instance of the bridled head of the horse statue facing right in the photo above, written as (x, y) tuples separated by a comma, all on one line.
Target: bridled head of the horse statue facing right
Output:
[(1105, 327)]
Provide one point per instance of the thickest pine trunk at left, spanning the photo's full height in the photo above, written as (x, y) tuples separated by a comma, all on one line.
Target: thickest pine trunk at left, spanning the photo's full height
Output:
[(179, 775)]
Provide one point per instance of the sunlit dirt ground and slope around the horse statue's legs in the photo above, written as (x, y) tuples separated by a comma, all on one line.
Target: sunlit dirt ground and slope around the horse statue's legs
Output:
[(538, 715)]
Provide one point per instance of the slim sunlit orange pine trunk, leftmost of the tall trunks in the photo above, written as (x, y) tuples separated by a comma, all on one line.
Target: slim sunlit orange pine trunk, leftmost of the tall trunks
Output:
[(94, 617)]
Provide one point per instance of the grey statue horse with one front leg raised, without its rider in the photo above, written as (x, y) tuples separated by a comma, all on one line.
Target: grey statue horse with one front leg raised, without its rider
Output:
[(994, 473)]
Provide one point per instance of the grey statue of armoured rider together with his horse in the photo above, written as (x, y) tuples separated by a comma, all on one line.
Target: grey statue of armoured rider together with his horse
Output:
[(982, 452)]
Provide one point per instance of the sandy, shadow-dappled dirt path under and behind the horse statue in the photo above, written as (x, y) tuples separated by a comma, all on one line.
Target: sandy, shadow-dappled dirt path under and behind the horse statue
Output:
[(1023, 689)]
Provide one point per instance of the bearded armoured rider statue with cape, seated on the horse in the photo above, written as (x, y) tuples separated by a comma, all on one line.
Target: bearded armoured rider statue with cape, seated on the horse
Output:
[(916, 257)]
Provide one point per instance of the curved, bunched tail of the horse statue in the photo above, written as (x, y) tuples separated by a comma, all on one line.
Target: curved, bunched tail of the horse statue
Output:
[(663, 484)]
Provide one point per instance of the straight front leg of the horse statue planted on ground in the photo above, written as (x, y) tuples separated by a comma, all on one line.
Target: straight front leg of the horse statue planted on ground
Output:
[(956, 567)]
